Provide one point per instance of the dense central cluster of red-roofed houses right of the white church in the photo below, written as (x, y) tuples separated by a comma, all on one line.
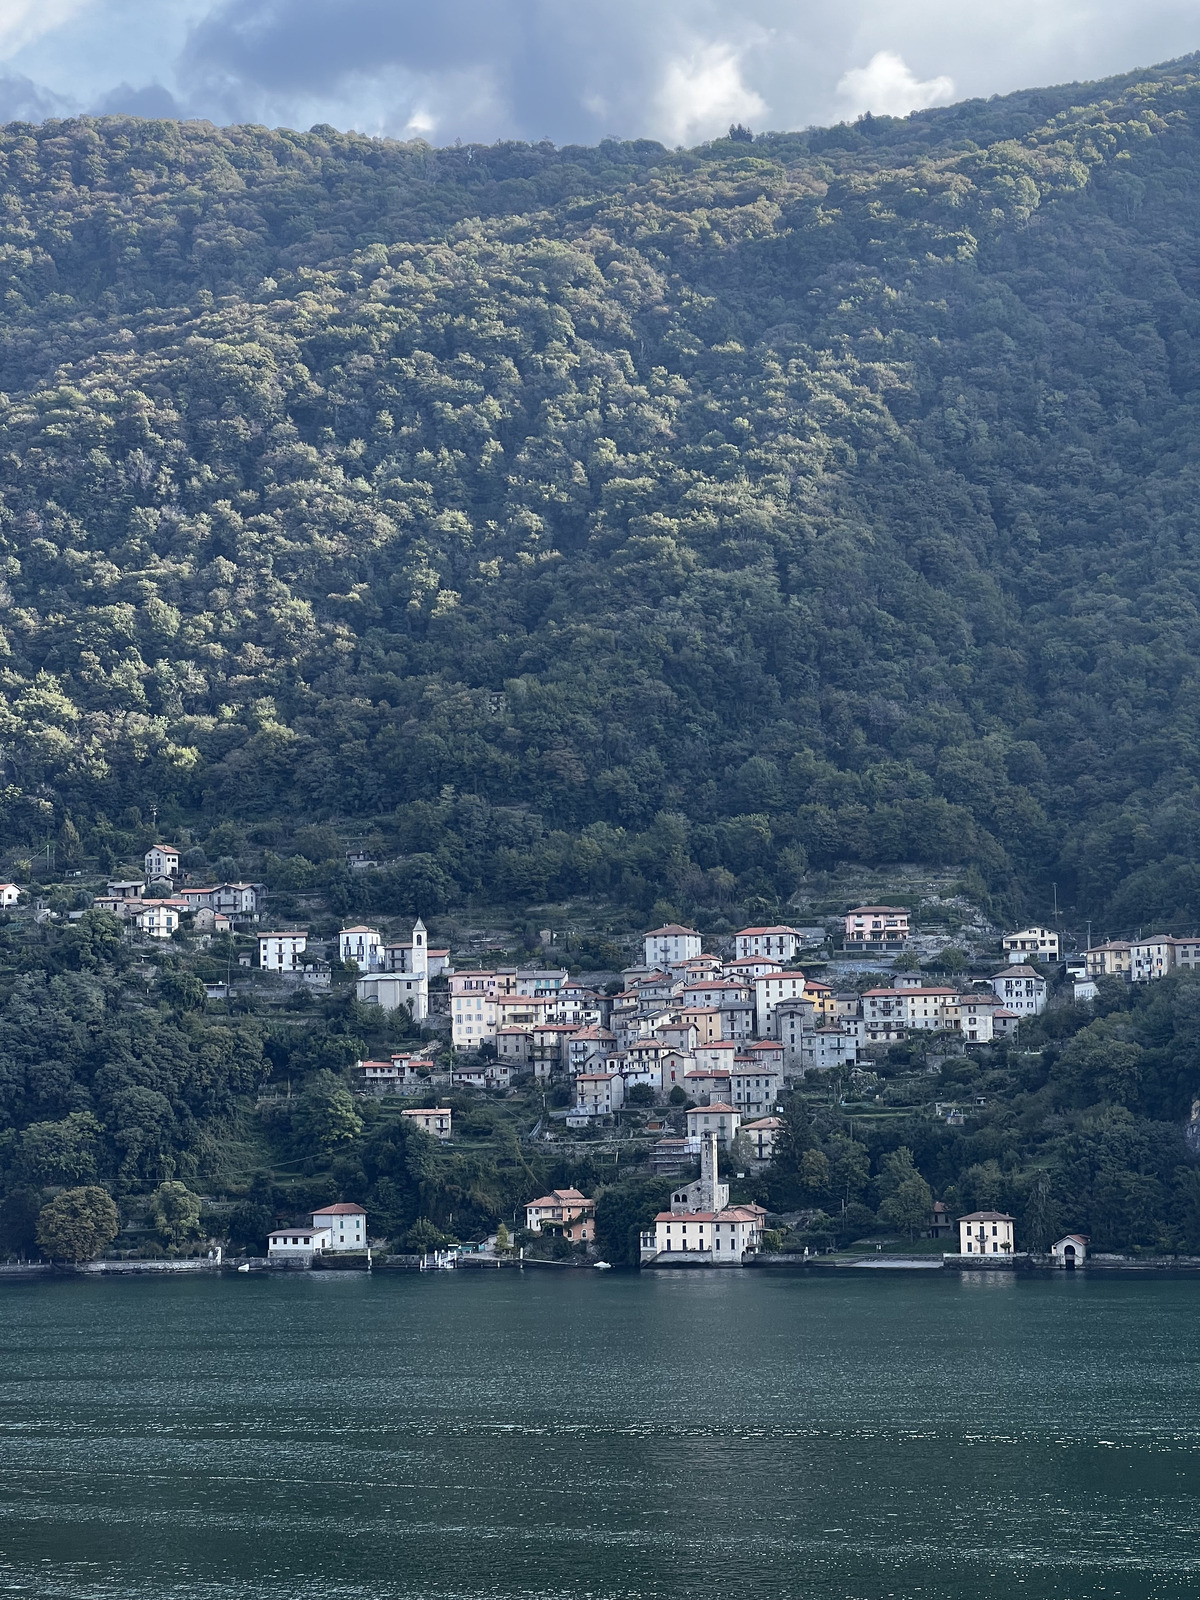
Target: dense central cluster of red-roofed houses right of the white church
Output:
[(727, 1034)]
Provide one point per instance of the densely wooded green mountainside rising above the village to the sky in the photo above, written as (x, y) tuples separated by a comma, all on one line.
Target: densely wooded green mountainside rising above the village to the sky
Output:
[(618, 521)]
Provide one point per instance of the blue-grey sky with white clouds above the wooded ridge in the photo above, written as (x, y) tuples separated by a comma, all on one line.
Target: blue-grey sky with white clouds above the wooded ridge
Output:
[(678, 71)]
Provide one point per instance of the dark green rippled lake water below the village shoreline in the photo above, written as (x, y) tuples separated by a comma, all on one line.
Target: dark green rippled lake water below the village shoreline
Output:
[(601, 1438)]
